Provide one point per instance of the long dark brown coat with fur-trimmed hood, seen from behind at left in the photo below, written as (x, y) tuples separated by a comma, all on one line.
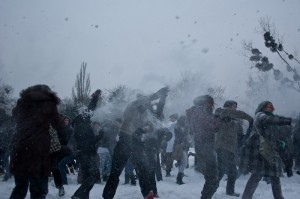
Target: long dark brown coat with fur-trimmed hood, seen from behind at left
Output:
[(30, 148)]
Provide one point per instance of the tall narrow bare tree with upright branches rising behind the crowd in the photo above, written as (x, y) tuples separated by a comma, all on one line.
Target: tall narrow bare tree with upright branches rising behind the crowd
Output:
[(82, 89)]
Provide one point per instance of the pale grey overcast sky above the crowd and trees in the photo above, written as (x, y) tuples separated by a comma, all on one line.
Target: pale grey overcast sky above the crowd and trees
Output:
[(142, 44)]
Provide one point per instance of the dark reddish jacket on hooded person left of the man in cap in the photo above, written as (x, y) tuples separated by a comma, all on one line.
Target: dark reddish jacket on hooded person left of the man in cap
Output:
[(203, 124)]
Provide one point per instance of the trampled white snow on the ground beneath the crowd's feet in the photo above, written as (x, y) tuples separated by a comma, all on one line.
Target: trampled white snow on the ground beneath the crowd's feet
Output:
[(168, 189)]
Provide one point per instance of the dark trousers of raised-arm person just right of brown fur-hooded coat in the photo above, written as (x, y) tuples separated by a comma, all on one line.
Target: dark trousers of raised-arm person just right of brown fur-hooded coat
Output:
[(89, 165)]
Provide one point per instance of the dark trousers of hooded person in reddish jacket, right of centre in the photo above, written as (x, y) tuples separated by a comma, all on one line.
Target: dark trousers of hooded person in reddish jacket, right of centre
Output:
[(207, 158)]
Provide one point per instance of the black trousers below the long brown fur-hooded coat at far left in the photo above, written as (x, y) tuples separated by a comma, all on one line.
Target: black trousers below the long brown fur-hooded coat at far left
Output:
[(38, 187)]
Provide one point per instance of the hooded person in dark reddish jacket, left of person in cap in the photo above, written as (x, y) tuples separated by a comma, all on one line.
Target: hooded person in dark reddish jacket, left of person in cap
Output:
[(204, 125)]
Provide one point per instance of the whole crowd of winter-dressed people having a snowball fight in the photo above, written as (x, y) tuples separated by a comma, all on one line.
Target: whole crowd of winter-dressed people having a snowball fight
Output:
[(37, 142)]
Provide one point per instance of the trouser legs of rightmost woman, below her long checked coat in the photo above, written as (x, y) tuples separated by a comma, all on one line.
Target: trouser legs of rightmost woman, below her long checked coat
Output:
[(253, 183)]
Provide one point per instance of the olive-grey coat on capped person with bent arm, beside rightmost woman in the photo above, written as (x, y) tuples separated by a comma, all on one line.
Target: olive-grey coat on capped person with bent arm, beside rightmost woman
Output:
[(230, 128)]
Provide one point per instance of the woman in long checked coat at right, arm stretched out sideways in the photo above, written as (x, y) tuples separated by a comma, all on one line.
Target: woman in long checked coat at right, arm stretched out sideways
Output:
[(265, 124)]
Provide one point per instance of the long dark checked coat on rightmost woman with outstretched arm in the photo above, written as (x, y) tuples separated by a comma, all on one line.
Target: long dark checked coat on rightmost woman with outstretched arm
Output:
[(267, 125)]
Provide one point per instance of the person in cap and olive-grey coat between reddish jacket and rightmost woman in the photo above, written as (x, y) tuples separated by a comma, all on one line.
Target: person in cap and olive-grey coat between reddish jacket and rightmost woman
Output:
[(226, 142)]
